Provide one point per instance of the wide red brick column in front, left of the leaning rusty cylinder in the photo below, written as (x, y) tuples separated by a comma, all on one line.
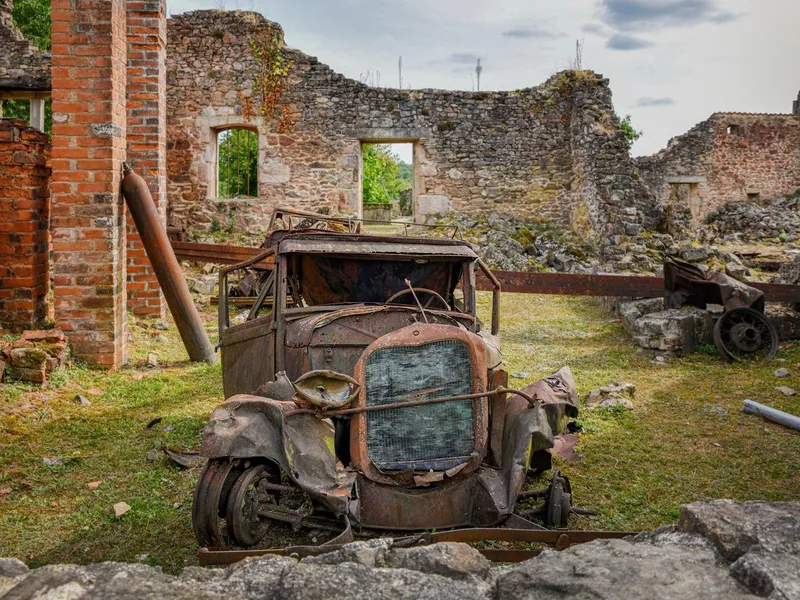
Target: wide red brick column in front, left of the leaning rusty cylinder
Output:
[(87, 211)]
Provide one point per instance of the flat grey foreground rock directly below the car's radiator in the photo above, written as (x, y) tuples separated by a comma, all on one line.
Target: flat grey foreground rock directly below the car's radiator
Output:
[(451, 559)]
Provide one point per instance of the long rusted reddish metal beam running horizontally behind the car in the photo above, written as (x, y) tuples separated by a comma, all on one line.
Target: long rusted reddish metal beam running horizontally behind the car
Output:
[(567, 284)]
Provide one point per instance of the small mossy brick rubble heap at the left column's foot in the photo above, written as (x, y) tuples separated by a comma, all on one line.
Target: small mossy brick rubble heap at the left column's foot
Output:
[(33, 356)]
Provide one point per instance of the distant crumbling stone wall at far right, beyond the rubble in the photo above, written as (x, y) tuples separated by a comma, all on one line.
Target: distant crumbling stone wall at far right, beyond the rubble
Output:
[(731, 157)]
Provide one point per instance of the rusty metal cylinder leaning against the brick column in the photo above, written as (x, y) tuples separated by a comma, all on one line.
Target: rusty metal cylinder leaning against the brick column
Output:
[(165, 265)]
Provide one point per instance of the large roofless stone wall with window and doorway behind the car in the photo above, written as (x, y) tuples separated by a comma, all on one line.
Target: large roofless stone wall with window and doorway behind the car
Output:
[(553, 152)]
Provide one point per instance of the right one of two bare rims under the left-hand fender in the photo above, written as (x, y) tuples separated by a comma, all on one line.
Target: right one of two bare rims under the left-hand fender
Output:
[(242, 519)]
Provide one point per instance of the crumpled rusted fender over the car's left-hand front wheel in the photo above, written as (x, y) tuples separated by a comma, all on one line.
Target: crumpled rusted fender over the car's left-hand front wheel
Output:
[(303, 446)]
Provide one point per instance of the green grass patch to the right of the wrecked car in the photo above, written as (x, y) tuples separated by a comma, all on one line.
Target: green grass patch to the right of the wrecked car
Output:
[(686, 440)]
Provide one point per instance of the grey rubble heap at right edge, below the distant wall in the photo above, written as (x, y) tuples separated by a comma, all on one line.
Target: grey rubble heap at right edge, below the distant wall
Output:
[(779, 218)]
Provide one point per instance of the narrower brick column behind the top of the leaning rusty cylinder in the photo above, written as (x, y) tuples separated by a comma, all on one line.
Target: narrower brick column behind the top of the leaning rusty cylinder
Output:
[(147, 30)]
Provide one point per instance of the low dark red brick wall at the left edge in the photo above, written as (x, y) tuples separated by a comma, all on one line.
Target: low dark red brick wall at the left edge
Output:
[(24, 215)]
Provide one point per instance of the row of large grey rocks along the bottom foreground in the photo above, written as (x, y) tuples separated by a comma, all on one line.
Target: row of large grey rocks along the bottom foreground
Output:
[(717, 550)]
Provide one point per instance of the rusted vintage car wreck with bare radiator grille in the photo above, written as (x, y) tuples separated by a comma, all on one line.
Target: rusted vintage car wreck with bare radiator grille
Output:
[(362, 391)]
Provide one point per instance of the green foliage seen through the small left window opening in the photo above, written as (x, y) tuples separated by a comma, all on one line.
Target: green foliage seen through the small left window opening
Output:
[(237, 158)]
